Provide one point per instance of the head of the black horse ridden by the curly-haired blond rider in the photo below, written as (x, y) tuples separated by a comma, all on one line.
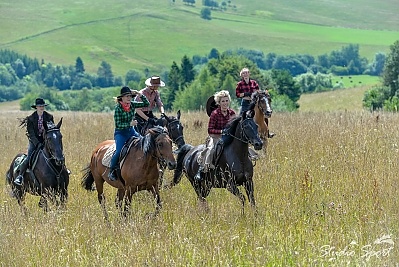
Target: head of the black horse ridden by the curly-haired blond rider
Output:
[(249, 130)]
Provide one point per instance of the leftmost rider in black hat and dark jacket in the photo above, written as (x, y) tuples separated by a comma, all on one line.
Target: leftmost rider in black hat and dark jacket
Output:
[(34, 131)]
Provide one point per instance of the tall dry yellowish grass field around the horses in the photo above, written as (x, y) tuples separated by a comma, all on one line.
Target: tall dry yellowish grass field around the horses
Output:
[(325, 190)]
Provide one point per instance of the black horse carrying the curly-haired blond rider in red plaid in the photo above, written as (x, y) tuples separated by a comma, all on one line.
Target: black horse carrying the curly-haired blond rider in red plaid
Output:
[(233, 167)]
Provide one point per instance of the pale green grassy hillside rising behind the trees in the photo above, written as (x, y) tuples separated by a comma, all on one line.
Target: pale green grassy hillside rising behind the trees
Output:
[(152, 33)]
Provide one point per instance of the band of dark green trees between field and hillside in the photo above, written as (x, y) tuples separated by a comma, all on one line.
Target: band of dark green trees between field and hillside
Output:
[(189, 83)]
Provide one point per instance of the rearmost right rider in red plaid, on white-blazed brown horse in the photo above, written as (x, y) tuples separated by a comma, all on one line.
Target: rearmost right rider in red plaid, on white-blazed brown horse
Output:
[(244, 89)]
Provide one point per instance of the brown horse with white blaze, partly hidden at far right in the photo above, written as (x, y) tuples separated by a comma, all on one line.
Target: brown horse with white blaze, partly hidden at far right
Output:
[(261, 103)]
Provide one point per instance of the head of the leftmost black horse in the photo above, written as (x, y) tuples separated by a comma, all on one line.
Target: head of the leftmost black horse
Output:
[(53, 142)]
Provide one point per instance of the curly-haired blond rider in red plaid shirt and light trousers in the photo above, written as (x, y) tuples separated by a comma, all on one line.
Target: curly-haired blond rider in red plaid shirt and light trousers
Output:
[(218, 119)]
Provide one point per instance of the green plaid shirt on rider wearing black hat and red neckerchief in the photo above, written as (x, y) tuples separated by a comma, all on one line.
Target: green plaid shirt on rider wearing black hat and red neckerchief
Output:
[(122, 118)]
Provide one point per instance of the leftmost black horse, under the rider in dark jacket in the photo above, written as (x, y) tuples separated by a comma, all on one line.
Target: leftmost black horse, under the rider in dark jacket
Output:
[(48, 176)]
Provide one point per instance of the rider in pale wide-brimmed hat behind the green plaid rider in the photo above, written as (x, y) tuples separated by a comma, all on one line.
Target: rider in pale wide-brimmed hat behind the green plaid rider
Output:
[(145, 115)]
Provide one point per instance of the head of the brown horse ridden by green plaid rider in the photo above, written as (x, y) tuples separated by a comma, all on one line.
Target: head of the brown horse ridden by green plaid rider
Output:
[(163, 144)]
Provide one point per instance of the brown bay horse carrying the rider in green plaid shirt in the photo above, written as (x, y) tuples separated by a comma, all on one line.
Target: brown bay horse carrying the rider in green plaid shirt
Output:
[(138, 169)]
